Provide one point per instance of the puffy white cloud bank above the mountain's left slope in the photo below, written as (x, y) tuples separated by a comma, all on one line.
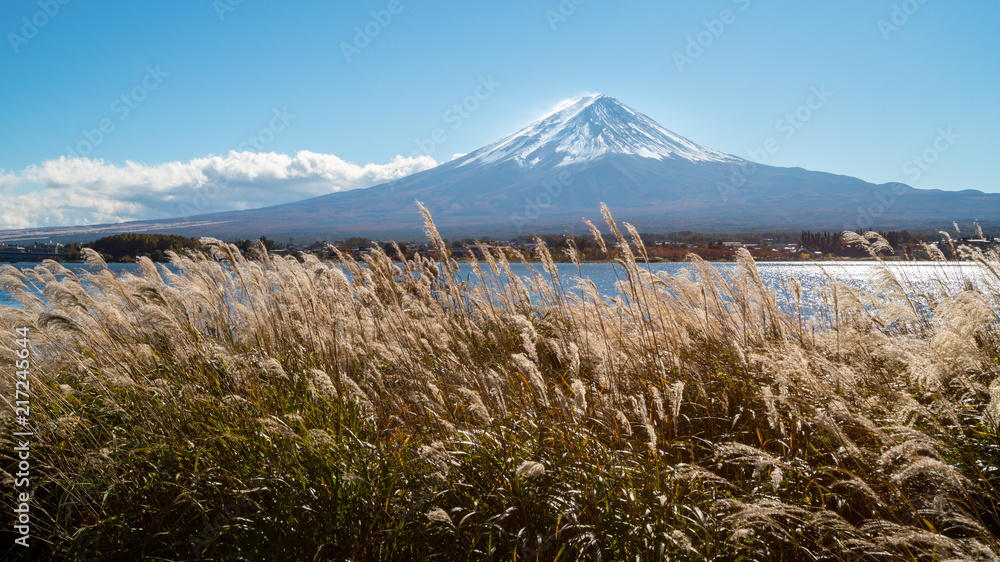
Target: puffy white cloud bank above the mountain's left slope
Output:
[(81, 191)]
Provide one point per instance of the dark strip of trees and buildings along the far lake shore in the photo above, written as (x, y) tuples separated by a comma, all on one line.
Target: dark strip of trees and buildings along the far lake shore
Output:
[(668, 247)]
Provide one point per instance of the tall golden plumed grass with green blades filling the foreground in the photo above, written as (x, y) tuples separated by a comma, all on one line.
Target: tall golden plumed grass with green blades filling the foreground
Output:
[(278, 410)]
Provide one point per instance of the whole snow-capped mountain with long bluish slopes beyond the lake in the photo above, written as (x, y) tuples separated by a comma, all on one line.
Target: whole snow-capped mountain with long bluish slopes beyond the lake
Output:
[(594, 149)]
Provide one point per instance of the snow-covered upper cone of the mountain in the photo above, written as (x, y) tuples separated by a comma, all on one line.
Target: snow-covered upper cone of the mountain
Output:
[(587, 128)]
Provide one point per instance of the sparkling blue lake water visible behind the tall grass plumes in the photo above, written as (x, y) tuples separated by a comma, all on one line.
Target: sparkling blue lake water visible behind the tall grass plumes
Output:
[(812, 276)]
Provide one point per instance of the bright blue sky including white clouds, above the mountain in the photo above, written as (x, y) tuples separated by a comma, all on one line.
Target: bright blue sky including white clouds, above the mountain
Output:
[(299, 98)]
